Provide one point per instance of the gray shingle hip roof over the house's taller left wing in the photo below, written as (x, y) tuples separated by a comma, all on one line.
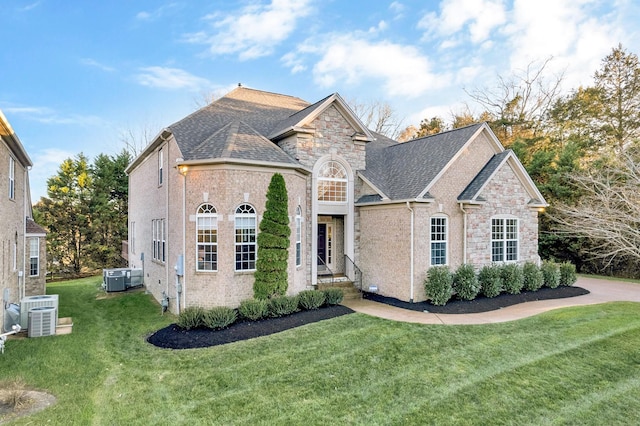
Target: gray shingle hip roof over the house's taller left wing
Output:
[(253, 114)]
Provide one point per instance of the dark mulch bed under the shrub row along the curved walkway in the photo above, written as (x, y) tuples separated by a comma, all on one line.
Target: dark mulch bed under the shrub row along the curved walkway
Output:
[(481, 303)]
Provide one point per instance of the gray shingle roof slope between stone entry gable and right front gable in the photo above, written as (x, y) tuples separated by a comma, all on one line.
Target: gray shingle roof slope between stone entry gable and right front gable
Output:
[(405, 170)]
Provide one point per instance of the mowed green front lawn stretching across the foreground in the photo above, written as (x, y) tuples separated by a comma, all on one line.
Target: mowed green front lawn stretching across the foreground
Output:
[(571, 366)]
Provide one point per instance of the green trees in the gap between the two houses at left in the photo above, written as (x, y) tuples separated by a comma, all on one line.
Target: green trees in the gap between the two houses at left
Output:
[(85, 214)]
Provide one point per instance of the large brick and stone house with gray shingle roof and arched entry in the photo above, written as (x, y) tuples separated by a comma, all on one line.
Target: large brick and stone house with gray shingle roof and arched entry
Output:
[(198, 192)]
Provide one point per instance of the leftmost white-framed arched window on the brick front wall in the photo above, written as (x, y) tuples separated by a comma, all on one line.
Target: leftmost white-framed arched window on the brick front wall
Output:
[(207, 238)]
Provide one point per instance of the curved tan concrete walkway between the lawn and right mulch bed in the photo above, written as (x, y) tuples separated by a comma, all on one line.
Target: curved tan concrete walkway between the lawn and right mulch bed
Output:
[(600, 291)]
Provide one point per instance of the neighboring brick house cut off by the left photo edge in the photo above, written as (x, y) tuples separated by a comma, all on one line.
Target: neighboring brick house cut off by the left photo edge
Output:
[(22, 241)]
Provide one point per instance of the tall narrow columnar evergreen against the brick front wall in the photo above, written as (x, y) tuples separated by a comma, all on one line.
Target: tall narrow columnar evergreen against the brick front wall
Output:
[(273, 243)]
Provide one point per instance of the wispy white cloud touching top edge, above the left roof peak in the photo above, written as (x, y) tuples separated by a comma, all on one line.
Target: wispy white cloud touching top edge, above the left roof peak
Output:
[(254, 31)]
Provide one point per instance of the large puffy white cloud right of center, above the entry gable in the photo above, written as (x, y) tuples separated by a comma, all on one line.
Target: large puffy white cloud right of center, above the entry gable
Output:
[(356, 61)]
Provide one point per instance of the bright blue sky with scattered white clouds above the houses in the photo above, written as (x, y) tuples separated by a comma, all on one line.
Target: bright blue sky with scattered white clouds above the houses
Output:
[(78, 75)]
